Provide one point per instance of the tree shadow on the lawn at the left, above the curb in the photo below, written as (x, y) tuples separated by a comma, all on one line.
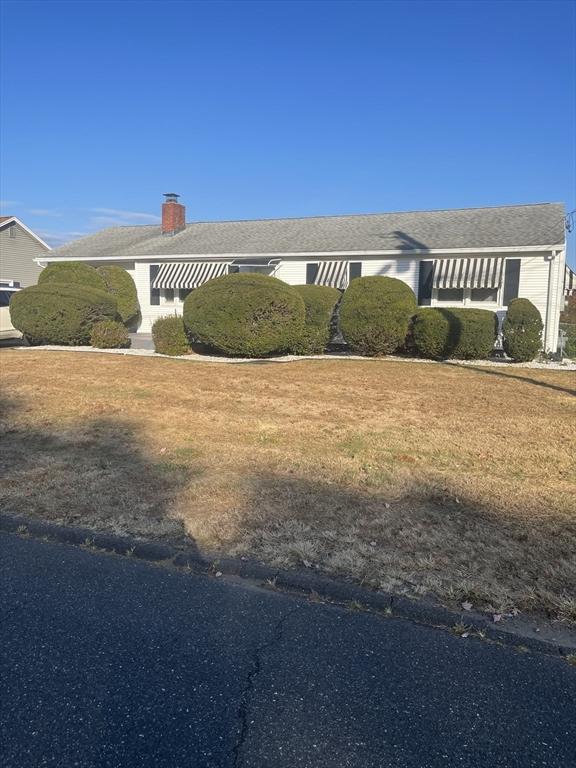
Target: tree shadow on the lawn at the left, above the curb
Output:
[(91, 474)]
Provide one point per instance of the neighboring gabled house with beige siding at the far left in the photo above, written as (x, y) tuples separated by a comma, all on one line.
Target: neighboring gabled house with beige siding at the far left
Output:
[(19, 249)]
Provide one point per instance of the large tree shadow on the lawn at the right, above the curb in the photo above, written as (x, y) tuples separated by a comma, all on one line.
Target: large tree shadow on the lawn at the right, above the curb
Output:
[(425, 542)]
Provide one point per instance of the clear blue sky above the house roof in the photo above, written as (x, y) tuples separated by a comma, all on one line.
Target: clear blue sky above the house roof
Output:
[(272, 109)]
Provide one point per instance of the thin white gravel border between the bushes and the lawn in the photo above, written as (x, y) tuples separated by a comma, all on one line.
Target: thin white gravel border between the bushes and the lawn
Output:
[(567, 365)]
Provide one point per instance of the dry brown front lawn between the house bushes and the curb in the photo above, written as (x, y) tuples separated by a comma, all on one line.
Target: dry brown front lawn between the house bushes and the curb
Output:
[(415, 478)]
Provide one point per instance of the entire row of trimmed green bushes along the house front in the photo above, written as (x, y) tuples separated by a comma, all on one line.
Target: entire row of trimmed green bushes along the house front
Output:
[(252, 315)]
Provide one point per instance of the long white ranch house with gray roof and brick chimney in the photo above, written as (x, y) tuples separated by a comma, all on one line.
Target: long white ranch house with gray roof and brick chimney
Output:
[(475, 257)]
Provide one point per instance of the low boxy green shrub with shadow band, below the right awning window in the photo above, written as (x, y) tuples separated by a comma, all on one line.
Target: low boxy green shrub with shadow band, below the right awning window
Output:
[(464, 334)]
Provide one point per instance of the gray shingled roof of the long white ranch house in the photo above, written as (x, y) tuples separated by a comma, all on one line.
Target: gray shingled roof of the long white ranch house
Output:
[(520, 225)]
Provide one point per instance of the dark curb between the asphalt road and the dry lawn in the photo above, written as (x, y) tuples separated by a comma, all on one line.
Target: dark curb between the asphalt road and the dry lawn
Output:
[(299, 581)]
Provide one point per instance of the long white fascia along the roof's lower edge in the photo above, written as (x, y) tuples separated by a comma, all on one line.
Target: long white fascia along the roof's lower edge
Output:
[(311, 254)]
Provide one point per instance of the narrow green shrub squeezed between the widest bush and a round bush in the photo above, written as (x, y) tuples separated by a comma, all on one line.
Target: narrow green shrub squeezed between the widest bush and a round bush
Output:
[(319, 304)]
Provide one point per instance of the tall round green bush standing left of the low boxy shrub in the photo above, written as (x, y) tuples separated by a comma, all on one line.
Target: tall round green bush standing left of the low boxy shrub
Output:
[(375, 314)]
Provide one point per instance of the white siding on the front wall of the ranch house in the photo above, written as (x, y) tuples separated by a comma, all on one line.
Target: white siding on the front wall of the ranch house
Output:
[(534, 274)]
